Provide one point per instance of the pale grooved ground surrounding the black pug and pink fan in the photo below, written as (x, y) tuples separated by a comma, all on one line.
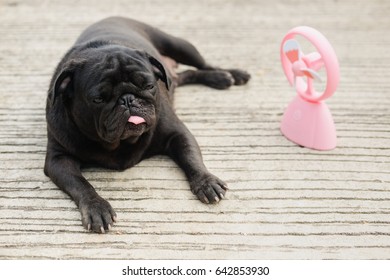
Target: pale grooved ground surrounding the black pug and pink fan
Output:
[(285, 202)]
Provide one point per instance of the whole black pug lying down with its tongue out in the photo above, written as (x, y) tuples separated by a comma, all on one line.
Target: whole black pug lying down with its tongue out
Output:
[(110, 104)]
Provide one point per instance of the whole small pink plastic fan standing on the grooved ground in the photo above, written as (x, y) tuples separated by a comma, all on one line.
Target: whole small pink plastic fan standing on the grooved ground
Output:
[(307, 120)]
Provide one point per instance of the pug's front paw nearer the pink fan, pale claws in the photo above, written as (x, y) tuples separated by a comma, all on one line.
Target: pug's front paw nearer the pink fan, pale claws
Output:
[(208, 188)]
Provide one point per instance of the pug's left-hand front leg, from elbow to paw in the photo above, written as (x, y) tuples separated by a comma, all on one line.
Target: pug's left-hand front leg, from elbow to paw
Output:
[(97, 214)]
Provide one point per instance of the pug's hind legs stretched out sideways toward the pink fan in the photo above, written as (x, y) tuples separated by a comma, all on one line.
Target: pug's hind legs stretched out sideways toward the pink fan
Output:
[(184, 52)]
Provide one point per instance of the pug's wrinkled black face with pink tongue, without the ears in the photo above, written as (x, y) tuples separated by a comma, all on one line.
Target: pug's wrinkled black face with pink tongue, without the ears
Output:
[(115, 96)]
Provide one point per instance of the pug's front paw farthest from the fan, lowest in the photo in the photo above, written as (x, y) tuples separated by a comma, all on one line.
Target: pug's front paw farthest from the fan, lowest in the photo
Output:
[(97, 214)]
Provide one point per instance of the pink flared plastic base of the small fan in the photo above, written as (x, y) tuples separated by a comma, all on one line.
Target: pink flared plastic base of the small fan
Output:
[(309, 124)]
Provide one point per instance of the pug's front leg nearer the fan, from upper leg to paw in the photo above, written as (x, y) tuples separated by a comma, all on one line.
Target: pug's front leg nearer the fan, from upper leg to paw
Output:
[(183, 148)]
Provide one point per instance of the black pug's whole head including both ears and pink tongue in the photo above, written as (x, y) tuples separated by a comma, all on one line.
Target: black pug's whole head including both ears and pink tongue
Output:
[(110, 92)]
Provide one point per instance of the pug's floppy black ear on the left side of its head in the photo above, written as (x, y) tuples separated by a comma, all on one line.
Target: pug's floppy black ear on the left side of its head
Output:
[(63, 83)]
